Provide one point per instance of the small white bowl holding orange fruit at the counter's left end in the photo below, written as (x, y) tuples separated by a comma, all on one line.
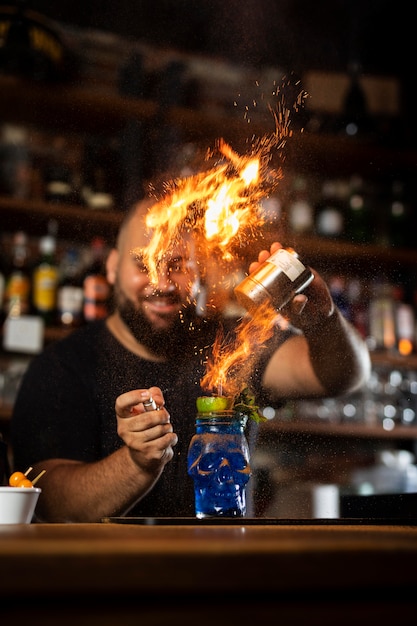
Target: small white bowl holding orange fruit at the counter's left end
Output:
[(17, 504)]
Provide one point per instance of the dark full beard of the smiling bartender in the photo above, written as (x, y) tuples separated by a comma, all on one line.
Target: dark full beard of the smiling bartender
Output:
[(165, 342)]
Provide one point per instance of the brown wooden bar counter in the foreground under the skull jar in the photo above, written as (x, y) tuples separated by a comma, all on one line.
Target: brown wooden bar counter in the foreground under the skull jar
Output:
[(59, 574)]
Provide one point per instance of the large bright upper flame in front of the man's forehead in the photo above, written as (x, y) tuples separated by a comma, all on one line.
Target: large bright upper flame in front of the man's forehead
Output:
[(221, 207)]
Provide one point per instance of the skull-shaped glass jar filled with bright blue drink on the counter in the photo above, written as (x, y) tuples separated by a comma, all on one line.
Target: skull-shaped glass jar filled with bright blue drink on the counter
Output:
[(218, 461)]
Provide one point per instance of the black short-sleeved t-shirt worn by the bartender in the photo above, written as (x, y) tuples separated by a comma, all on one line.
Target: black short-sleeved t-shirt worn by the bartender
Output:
[(65, 405)]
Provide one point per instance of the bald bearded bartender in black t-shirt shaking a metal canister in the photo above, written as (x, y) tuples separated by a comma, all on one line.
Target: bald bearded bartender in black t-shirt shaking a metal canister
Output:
[(81, 411)]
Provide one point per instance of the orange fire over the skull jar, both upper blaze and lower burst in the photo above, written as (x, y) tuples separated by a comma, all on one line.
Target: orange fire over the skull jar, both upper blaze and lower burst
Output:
[(222, 209)]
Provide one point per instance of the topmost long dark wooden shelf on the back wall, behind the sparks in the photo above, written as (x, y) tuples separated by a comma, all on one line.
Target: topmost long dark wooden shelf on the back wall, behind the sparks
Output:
[(71, 108)]
